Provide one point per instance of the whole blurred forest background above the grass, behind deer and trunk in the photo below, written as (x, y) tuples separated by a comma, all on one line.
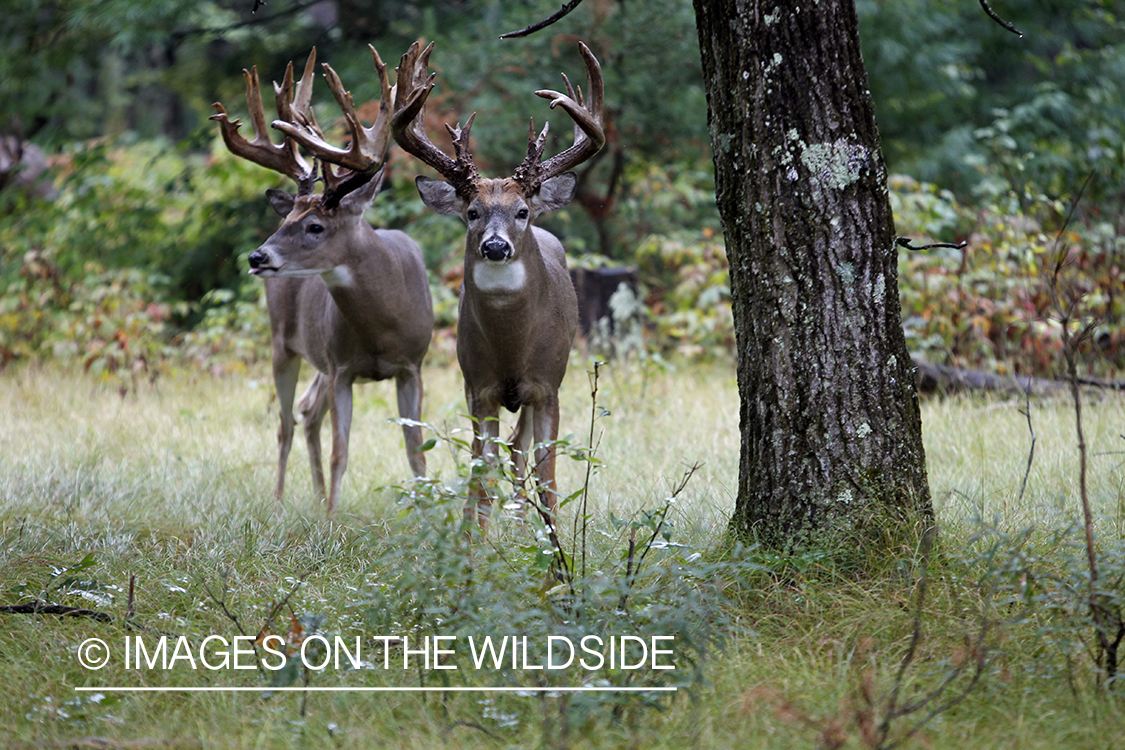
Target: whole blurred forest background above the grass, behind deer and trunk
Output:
[(128, 252)]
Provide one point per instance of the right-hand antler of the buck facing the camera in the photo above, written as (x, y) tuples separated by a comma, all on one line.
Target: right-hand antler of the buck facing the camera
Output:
[(589, 133)]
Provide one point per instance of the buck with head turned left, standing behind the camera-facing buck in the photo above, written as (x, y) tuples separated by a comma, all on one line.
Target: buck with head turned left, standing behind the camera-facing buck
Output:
[(352, 300)]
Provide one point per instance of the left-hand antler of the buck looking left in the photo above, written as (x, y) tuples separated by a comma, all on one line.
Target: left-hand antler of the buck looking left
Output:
[(292, 106)]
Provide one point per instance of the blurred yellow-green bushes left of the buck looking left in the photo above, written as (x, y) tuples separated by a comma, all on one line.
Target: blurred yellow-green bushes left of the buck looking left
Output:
[(139, 245)]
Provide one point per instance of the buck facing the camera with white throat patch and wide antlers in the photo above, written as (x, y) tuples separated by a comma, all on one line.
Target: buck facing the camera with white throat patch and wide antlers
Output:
[(518, 313)]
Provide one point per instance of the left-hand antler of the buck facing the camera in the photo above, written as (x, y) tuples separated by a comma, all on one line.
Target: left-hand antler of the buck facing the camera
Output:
[(408, 125)]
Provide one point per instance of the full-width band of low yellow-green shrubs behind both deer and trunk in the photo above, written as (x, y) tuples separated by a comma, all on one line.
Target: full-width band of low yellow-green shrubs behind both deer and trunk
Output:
[(137, 266)]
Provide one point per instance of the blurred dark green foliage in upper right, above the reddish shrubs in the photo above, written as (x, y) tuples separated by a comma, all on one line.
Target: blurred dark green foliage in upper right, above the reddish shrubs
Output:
[(967, 105)]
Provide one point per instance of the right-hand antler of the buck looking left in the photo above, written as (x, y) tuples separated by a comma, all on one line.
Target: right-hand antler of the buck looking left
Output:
[(362, 160)]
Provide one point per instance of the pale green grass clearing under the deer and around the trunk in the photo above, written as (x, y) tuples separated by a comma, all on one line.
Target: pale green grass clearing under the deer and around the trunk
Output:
[(173, 486)]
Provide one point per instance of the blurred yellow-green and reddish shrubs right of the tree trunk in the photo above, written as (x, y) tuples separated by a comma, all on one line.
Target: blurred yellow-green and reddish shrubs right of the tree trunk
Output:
[(1000, 304)]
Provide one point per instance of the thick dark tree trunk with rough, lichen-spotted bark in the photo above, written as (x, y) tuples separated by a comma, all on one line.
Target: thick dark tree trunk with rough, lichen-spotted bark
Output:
[(832, 450)]
